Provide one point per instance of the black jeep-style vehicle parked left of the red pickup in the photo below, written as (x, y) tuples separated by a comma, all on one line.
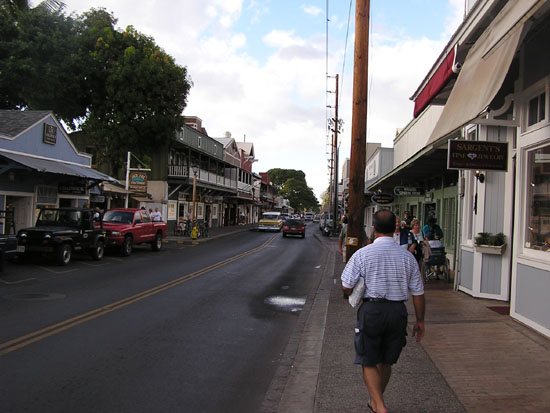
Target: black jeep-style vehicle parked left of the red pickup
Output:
[(59, 232)]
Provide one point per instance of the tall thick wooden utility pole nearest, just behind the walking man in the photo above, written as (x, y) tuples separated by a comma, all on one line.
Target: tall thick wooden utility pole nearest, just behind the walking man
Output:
[(358, 129)]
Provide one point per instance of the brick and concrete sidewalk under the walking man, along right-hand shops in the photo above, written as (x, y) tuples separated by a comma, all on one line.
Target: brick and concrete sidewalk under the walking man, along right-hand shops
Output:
[(472, 358)]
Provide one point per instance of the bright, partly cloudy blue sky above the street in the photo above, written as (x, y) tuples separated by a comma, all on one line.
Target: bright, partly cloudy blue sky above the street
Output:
[(259, 67)]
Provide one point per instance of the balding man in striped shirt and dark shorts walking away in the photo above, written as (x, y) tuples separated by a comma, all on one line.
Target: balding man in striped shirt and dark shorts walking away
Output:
[(389, 272)]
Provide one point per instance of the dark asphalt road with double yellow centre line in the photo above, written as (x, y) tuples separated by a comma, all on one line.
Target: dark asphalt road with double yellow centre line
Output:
[(190, 328)]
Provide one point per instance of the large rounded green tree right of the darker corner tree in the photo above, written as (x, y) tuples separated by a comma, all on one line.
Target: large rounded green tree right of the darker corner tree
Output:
[(139, 92)]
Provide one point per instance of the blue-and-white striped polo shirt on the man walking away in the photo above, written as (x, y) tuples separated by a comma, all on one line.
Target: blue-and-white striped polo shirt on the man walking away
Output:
[(389, 271)]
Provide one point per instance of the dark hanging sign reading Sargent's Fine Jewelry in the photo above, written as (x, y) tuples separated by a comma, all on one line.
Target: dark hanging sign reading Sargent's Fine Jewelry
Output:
[(482, 155)]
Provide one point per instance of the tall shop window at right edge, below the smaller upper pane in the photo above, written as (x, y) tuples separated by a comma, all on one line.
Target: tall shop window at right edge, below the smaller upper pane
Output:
[(537, 232)]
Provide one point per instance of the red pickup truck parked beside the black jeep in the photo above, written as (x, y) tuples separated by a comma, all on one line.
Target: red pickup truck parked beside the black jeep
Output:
[(126, 227)]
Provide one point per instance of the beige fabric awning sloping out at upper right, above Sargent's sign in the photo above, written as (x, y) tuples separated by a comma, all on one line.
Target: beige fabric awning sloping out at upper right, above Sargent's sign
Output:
[(484, 70)]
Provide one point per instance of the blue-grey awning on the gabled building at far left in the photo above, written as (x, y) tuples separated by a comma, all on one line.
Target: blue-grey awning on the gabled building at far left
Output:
[(58, 167)]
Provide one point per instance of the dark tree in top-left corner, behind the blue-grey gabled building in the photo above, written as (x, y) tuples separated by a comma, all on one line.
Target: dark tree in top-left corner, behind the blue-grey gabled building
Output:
[(39, 60)]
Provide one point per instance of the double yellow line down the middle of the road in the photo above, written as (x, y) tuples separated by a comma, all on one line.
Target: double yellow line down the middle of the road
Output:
[(38, 335)]
